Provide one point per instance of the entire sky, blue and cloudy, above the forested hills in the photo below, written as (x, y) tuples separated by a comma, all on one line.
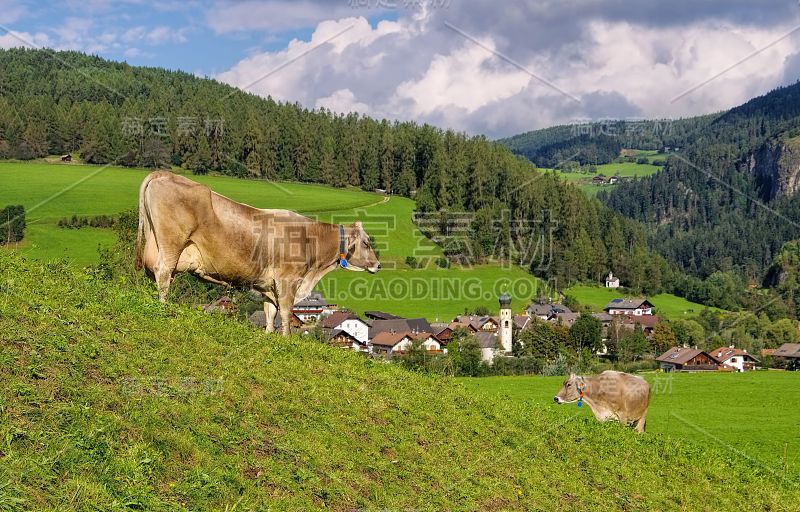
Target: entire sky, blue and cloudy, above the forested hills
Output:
[(473, 65)]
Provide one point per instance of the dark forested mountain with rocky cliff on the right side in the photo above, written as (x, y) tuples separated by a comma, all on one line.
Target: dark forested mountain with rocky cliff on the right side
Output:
[(725, 201)]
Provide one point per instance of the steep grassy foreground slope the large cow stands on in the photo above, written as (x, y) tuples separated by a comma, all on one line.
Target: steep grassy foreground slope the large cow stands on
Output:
[(113, 401)]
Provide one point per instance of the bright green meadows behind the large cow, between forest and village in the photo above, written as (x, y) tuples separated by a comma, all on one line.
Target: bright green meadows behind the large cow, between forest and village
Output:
[(53, 191)]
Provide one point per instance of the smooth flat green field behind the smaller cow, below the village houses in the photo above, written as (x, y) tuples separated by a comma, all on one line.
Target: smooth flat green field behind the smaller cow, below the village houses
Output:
[(748, 415)]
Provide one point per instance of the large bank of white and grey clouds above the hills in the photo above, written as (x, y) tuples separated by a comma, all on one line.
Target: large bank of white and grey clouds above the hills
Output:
[(416, 69)]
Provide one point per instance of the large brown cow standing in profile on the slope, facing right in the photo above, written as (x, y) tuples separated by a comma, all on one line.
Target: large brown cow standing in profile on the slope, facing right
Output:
[(185, 227)]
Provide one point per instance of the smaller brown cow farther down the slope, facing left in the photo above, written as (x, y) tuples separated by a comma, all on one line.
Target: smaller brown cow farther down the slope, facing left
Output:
[(610, 395)]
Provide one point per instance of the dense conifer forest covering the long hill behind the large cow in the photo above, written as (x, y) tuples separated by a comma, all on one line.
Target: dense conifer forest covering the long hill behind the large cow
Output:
[(153, 117)]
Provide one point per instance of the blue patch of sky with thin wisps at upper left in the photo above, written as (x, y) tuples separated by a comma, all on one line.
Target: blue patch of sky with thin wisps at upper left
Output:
[(175, 35)]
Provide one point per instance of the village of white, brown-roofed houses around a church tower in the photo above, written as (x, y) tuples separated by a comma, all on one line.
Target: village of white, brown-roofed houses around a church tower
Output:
[(387, 336)]
